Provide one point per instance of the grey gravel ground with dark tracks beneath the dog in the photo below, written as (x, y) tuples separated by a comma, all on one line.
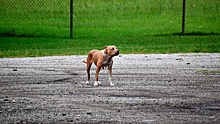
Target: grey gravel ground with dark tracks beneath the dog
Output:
[(149, 88)]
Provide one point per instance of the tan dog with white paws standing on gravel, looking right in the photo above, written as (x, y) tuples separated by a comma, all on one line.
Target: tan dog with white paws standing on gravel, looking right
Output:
[(102, 59)]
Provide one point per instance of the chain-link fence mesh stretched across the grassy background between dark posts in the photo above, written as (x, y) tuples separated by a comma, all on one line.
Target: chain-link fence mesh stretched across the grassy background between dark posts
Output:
[(107, 18)]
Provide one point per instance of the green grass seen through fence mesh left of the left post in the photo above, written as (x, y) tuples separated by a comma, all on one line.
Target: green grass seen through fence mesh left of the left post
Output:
[(34, 18)]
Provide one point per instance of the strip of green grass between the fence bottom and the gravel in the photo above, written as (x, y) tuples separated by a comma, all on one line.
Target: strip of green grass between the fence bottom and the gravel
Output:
[(31, 47)]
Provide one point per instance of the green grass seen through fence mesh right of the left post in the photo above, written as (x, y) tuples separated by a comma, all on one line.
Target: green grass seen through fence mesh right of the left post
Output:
[(143, 18)]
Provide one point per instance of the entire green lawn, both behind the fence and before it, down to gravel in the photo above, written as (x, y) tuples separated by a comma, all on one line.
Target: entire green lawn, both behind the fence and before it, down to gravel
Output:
[(36, 28)]
